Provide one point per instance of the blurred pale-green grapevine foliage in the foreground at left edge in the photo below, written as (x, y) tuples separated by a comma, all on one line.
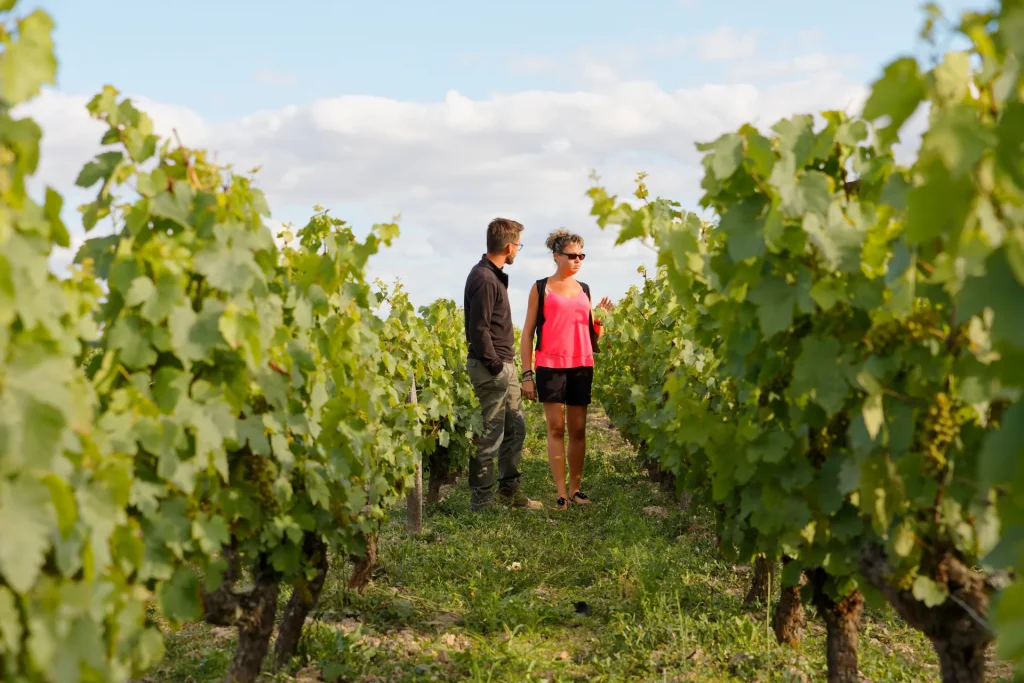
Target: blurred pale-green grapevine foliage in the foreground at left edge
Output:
[(64, 487)]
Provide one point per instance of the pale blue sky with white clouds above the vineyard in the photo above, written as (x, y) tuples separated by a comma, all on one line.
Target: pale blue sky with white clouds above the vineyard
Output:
[(452, 113)]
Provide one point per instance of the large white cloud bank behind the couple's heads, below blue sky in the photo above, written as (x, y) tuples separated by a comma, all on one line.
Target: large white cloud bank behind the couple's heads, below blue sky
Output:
[(452, 165)]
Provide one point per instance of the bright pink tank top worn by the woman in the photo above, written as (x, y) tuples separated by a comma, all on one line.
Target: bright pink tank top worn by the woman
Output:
[(566, 336)]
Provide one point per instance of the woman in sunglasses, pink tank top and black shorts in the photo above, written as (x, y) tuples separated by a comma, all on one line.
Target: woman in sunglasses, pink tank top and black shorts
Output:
[(560, 312)]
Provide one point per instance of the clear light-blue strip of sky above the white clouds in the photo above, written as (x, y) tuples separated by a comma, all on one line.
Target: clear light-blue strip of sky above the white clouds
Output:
[(226, 59)]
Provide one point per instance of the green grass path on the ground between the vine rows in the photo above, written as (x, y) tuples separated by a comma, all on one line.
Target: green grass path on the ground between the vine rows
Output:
[(491, 597)]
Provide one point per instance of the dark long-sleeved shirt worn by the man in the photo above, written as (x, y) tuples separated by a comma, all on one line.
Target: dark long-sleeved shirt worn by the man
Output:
[(489, 317)]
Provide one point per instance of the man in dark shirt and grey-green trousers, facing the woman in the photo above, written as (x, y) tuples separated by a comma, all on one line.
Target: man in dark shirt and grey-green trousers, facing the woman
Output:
[(492, 352)]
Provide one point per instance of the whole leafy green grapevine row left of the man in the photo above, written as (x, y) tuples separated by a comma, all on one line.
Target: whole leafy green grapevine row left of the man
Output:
[(197, 404)]
